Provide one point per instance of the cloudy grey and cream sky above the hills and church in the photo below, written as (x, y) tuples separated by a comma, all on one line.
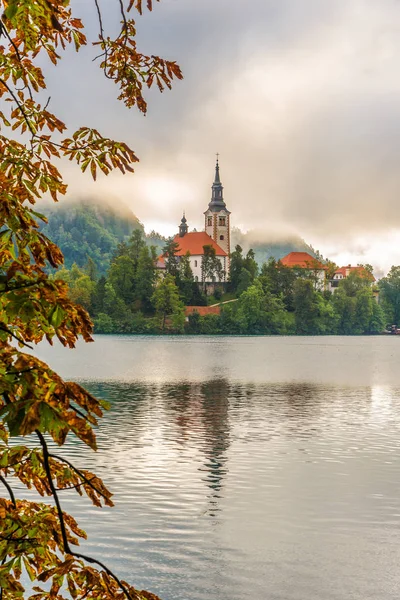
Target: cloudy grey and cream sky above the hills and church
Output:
[(301, 98)]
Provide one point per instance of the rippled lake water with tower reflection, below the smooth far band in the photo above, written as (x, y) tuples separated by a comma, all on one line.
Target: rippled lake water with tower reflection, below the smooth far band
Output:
[(225, 489)]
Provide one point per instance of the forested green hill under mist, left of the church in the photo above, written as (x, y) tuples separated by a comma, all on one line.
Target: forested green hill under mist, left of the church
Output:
[(86, 229)]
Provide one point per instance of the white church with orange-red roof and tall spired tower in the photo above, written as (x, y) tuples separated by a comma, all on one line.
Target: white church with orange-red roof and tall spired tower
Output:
[(216, 234)]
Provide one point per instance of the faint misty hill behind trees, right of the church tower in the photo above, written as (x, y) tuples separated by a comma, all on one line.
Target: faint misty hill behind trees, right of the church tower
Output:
[(264, 249)]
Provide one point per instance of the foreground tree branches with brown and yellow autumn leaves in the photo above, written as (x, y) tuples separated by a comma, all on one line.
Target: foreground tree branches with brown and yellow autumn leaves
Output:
[(38, 537)]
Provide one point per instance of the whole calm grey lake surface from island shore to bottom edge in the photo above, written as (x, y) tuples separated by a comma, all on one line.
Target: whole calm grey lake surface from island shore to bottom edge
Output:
[(262, 468)]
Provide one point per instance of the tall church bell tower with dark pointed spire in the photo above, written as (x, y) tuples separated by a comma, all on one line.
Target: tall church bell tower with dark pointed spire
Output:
[(217, 216)]
